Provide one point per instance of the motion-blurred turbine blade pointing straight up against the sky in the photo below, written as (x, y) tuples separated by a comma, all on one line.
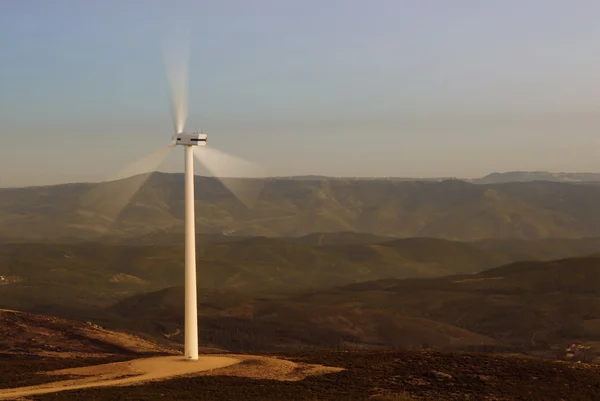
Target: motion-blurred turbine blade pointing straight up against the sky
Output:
[(176, 53)]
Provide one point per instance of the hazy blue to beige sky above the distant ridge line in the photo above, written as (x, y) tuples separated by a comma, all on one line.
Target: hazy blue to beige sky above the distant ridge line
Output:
[(331, 87)]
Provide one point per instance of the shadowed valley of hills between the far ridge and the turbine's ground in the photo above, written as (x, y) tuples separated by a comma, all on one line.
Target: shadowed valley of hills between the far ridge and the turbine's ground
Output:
[(330, 290)]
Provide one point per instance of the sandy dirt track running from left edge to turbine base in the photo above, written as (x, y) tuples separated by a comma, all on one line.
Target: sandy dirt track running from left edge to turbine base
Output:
[(122, 374)]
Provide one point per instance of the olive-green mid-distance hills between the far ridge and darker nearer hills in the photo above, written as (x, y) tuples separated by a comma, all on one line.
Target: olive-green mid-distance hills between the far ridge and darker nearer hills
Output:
[(44, 277)]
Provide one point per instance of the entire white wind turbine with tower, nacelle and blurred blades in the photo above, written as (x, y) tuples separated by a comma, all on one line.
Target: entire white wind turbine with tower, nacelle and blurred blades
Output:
[(220, 164)]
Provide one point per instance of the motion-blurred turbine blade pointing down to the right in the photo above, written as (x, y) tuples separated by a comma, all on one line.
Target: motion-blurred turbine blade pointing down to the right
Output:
[(244, 179)]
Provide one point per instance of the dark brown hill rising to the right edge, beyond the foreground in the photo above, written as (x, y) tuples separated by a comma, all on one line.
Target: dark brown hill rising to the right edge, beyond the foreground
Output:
[(526, 304)]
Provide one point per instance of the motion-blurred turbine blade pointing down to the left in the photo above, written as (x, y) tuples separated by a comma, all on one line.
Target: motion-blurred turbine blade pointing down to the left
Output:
[(107, 200)]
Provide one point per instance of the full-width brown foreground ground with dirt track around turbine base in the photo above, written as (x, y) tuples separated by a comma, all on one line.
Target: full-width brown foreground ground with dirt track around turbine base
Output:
[(92, 363)]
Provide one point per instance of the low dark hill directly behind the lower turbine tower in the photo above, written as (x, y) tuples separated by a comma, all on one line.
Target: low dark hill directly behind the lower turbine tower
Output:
[(256, 322)]
